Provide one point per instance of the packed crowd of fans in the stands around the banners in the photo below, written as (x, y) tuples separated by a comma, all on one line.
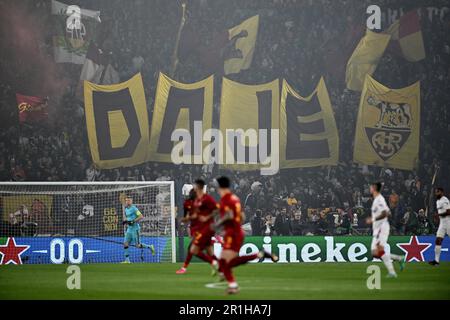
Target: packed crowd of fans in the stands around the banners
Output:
[(293, 43)]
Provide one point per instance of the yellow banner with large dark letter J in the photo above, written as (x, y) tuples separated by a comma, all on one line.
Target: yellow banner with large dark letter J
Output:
[(246, 110)]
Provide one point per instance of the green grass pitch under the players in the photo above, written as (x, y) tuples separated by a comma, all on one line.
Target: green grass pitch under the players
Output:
[(257, 281)]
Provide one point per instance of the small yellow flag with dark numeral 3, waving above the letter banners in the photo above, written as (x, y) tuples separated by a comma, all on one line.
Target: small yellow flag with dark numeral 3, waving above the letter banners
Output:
[(243, 40)]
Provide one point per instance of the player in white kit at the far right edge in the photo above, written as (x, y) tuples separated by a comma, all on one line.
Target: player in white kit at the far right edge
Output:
[(443, 208)]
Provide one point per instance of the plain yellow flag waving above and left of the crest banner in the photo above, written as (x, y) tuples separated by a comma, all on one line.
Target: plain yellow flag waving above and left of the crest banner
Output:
[(364, 59)]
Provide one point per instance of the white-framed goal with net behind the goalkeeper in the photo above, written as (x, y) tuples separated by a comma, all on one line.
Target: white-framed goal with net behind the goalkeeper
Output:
[(81, 222)]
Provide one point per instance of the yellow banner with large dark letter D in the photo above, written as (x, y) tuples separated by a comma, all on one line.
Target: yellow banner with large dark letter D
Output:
[(117, 123)]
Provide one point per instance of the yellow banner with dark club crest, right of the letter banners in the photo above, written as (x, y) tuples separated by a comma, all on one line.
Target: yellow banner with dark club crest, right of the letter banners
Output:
[(388, 127)]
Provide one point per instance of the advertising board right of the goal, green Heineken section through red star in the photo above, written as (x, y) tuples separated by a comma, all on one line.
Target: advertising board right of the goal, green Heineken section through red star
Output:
[(338, 248)]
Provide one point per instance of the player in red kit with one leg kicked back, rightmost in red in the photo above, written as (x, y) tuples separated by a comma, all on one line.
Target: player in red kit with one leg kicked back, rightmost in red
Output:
[(231, 217)]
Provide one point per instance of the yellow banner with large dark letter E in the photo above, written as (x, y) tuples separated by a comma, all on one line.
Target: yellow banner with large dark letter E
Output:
[(308, 133)]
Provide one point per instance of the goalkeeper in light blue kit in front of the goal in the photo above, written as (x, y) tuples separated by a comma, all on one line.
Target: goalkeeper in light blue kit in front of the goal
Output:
[(132, 218)]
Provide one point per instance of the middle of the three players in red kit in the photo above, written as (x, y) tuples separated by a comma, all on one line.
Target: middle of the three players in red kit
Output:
[(204, 207)]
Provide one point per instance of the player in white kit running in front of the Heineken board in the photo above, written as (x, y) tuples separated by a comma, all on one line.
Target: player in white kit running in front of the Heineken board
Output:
[(381, 228)]
